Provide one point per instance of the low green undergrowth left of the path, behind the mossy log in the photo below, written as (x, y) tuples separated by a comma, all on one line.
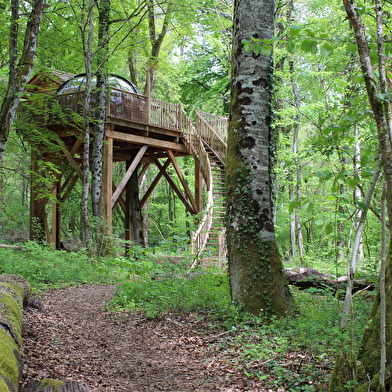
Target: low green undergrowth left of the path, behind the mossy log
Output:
[(45, 269)]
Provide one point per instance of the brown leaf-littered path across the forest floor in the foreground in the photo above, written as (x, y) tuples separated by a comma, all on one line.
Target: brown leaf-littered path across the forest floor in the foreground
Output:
[(73, 337)]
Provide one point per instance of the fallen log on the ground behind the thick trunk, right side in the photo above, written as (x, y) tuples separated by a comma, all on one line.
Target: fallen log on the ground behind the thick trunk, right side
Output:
[(305, 278)]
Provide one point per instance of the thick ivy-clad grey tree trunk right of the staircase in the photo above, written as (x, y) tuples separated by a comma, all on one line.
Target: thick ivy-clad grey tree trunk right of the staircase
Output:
[(258, 283)]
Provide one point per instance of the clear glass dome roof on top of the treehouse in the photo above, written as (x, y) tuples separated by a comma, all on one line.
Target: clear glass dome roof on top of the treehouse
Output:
[(78, 82)]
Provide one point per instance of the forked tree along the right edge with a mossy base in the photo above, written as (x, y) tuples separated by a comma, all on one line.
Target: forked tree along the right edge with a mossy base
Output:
[(366, 367)]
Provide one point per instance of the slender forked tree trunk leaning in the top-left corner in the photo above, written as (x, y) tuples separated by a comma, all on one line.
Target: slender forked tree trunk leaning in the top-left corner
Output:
[(19, 73)]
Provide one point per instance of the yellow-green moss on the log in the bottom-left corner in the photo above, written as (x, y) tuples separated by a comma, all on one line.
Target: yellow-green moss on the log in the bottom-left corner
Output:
[(9, 352)]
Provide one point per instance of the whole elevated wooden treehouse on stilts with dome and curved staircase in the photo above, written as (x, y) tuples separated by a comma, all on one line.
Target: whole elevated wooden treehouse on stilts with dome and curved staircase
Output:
[(140, 131)]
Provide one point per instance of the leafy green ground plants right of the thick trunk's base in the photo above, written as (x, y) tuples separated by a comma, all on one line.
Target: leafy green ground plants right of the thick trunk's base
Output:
[(283, 353)]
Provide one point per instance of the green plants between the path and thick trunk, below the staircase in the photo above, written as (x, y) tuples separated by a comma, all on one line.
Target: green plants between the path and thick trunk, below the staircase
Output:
[(159, 287)]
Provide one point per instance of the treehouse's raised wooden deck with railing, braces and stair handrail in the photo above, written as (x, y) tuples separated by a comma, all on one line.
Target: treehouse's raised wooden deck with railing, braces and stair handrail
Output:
[(157, 129)]
